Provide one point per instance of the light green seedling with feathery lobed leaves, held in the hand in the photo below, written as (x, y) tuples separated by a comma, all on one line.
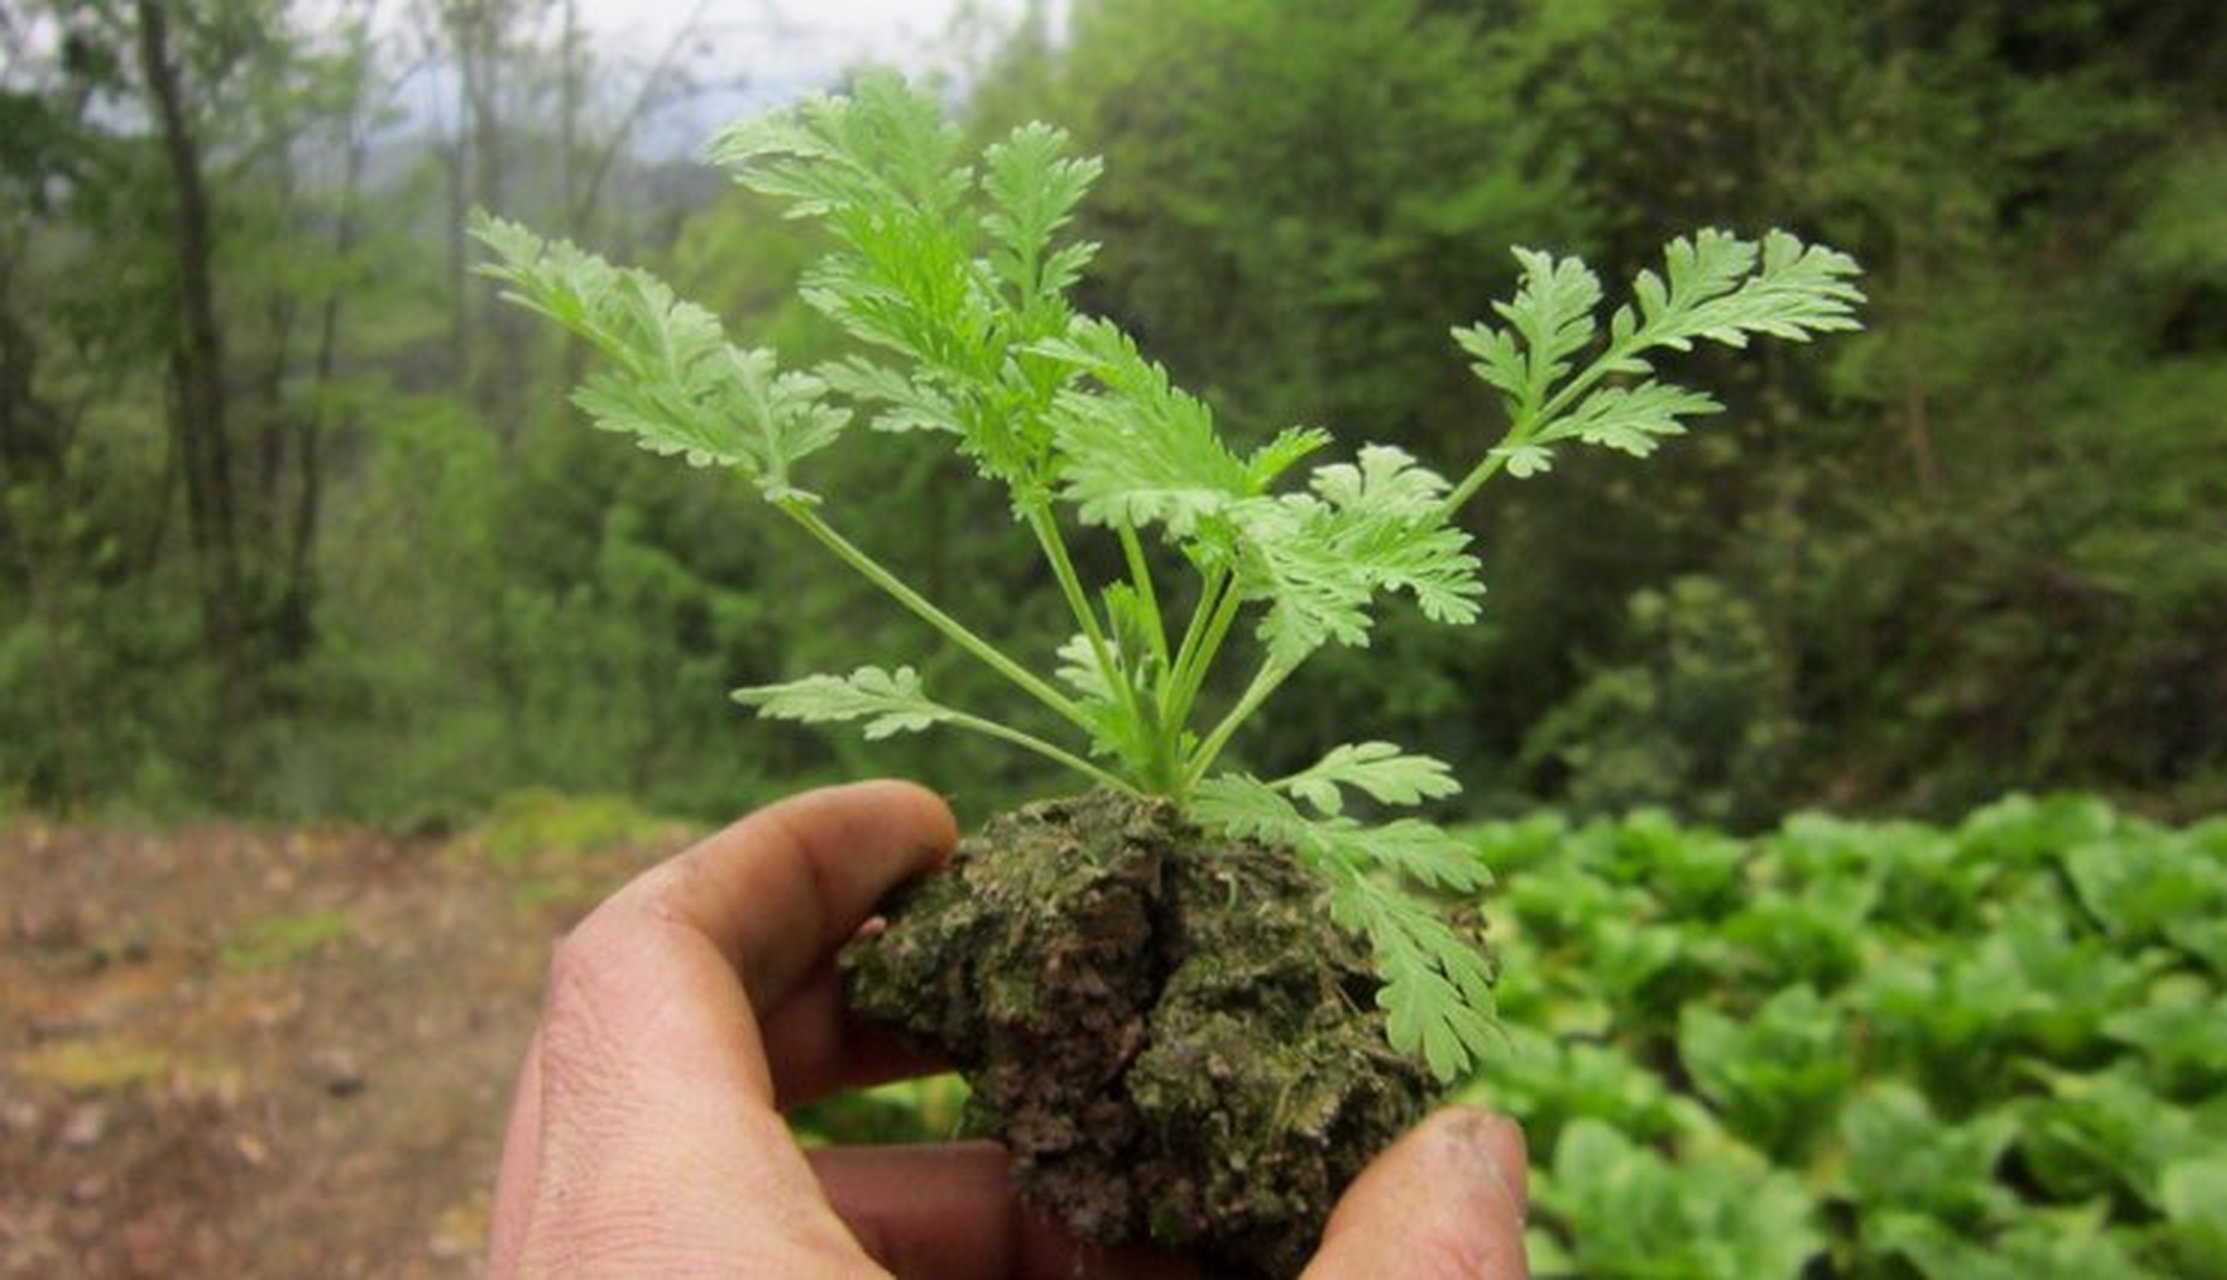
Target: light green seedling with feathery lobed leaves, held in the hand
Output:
[(959, 273)]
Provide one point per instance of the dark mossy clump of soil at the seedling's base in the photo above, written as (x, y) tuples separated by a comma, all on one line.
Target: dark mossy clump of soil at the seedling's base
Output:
[(1166, 1030)]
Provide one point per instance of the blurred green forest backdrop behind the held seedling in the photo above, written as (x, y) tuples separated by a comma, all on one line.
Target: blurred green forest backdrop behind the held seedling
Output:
[(297, 520)]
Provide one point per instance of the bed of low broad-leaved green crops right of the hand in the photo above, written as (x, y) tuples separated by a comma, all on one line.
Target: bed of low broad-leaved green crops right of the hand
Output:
[(1988, 1076)]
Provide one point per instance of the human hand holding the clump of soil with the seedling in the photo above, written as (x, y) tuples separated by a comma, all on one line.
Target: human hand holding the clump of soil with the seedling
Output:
[(700, 1001)]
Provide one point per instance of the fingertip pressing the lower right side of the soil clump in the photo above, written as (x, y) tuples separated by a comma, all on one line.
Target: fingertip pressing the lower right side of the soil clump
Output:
[(1442, 1203)]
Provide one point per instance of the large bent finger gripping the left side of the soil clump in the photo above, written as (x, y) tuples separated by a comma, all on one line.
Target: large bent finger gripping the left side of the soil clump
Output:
[(656, 1092)]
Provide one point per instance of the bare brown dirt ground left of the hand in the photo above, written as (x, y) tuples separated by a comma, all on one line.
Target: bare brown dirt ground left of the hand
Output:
[(255, 1052)]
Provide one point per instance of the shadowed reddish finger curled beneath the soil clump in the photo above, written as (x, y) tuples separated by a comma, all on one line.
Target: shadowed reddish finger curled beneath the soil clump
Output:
[(950, 1214)]
